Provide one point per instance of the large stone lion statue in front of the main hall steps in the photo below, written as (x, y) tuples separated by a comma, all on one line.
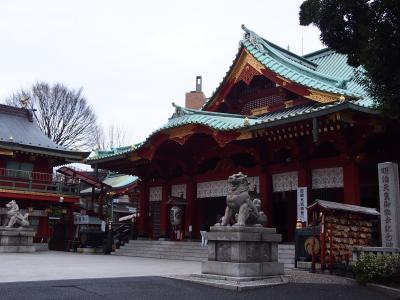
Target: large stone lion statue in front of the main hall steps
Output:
[(240, 206)]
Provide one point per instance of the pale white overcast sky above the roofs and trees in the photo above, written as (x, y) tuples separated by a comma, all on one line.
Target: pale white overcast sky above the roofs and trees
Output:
[(134, 58)]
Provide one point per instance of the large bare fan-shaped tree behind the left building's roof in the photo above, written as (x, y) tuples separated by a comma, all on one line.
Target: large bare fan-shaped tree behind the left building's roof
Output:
[(63, 114)]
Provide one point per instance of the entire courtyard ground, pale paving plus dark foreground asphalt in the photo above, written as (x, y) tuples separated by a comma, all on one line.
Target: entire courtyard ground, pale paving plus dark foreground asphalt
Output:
[(19, 270)]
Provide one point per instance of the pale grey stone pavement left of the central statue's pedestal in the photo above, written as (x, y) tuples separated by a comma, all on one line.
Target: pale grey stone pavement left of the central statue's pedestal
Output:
[(54, 265)]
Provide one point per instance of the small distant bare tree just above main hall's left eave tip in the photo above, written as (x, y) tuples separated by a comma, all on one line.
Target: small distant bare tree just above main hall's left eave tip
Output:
[(115, 136)]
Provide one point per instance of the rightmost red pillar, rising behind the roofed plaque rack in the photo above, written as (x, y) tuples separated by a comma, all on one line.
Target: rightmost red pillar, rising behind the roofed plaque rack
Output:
[(351, 183)]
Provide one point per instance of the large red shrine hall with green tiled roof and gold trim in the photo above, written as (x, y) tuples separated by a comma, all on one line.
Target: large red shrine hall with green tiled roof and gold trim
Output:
[(284, 120)]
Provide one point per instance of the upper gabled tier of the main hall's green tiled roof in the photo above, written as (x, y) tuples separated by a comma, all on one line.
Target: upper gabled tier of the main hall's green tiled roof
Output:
[(327, 74)]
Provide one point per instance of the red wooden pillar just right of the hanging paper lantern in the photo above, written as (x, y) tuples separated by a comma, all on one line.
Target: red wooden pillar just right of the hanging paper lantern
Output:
[(190, 213)]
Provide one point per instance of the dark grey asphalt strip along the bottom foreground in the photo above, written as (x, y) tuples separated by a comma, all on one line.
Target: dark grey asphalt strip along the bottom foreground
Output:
[(155, 288)]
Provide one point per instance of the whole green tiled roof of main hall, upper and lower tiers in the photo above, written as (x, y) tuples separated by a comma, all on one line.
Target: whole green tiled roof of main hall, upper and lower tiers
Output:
[(324, 70)]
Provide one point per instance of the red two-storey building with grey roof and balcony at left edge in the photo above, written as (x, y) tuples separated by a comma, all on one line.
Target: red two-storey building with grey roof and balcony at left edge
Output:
[(27, 159)]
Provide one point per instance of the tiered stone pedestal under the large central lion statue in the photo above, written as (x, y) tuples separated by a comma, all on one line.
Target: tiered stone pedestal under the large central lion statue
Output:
[(243, 253)]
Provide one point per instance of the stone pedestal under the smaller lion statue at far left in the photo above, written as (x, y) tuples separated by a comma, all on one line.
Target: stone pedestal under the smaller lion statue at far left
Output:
[(14, 240)]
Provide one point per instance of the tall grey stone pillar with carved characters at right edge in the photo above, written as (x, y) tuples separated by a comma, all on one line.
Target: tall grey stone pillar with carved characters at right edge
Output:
[(389, 204)]
